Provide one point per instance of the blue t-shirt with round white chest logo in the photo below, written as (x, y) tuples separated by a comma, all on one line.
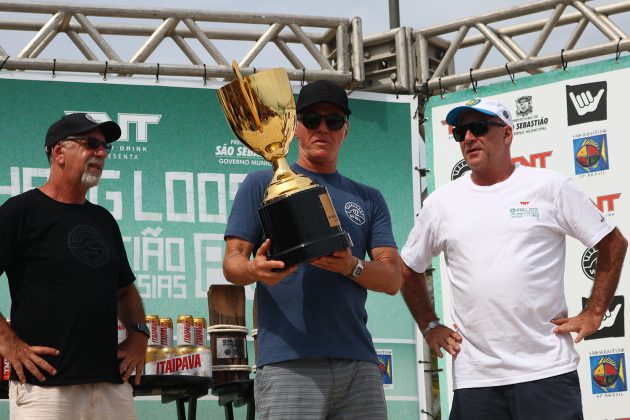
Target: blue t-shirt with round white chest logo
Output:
[(315, 313)]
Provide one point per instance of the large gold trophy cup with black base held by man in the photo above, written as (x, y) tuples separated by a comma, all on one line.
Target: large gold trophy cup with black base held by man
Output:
[(296, 213)]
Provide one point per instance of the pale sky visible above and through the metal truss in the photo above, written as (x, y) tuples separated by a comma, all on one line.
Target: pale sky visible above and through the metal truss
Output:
[(374, 14)]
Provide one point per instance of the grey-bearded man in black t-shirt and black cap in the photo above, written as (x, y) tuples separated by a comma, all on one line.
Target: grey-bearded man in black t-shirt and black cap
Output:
[(69, 280)]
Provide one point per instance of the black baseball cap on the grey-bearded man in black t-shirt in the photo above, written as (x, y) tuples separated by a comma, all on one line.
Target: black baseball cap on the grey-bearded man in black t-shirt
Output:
[(78, 123)]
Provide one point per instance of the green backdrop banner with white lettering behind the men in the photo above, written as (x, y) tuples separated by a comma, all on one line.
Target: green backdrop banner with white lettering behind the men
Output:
[(171, 178)]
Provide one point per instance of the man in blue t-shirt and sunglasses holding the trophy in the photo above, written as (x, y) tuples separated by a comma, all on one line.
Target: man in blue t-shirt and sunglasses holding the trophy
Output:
[(316, 357)]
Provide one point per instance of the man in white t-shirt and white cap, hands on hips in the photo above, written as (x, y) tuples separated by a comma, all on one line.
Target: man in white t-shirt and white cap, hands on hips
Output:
[(502, 229)]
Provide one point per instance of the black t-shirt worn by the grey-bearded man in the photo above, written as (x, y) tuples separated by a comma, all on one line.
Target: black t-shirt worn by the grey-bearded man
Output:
[(64, 263)]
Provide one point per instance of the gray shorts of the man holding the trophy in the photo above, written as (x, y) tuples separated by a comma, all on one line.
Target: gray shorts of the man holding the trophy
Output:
[(313, 389)]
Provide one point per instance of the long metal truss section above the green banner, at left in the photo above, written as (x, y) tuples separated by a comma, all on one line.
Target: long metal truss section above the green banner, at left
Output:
[(336, 50)]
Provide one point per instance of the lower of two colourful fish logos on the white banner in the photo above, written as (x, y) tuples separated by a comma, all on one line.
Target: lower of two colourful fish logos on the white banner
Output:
[(608, 374)]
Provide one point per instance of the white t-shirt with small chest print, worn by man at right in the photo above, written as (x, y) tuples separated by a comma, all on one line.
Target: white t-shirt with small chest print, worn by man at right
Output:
[(504, 247)]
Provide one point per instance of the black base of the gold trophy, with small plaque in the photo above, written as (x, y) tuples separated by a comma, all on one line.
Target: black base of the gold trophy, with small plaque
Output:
[(302, 226)]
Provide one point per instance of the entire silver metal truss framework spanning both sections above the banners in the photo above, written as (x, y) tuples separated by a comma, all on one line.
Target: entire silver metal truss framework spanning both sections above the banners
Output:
[(402, 60)]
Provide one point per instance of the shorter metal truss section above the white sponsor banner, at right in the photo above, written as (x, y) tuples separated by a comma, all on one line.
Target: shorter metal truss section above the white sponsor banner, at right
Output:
[(518, 58)]
